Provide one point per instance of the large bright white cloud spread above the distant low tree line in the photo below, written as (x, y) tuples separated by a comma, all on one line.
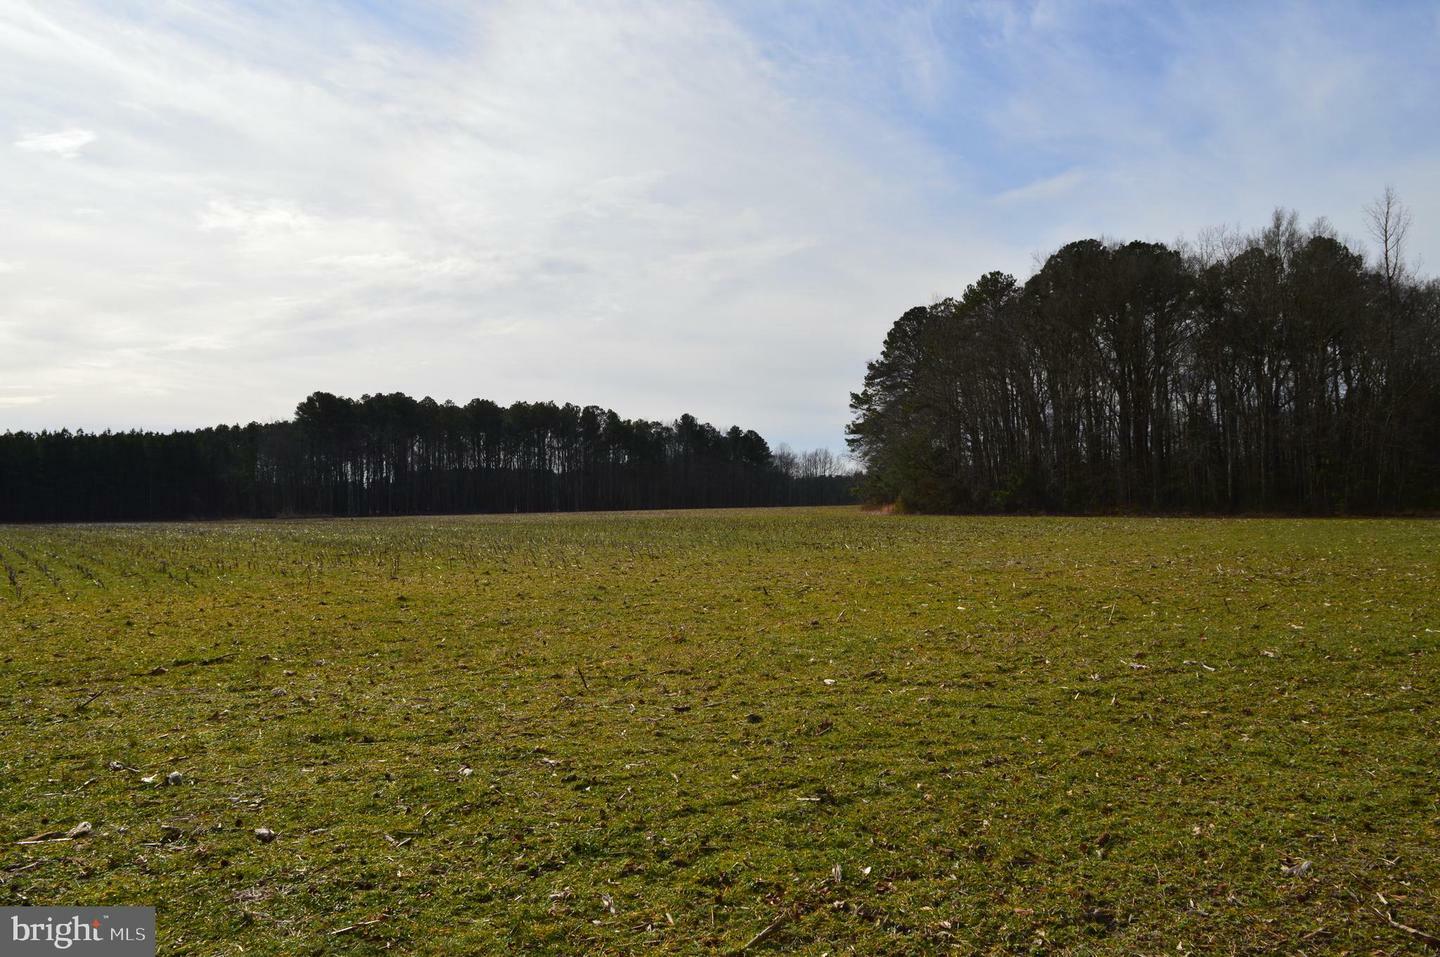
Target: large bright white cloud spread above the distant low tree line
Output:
[(581, 202)]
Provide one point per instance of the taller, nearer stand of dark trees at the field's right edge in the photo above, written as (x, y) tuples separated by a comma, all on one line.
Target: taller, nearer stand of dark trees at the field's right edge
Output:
[(1272, 372)]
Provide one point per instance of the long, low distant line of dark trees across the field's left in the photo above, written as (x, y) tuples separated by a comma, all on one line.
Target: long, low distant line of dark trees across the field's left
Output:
[(394, 455)]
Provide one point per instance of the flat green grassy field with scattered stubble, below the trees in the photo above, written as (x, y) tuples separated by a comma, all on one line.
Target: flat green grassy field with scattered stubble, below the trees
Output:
[(676, 733)]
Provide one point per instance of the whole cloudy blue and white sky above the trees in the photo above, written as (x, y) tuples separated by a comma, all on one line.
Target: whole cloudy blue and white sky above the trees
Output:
[(210, 211)]
